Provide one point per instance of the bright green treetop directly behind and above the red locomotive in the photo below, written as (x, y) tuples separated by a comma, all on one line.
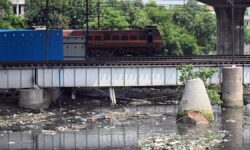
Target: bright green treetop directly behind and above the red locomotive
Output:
[(128, 12)]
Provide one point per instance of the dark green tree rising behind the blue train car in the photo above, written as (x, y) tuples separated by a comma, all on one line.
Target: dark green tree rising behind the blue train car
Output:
[(60, 12)]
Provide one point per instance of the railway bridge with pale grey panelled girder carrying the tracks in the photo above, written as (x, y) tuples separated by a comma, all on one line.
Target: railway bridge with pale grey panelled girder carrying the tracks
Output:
[(118, 72)]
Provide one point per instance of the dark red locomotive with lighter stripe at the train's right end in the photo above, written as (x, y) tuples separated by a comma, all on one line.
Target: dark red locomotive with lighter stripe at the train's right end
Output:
[(133, 42)]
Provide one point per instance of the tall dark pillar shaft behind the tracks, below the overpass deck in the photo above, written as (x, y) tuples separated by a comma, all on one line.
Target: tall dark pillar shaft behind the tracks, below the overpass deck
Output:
[(224, 30)]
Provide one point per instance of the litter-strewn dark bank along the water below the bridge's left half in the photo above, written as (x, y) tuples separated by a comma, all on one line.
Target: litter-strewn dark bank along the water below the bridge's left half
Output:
[(76, 115)]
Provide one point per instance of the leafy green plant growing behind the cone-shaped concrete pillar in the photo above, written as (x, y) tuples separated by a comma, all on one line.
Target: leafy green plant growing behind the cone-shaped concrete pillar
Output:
[(187, 72)]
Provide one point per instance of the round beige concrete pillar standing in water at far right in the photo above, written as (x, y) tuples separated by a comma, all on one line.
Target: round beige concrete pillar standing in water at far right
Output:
[(232, 87)]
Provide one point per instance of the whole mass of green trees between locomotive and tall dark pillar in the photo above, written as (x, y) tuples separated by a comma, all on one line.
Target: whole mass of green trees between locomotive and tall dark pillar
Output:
[(186, 30)]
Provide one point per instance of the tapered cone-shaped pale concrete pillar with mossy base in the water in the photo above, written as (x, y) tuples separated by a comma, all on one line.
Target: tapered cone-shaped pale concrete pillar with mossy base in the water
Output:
[(195, 99)]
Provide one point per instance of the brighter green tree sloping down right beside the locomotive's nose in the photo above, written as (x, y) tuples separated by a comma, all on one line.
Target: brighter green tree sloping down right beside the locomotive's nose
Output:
[(177, 39)]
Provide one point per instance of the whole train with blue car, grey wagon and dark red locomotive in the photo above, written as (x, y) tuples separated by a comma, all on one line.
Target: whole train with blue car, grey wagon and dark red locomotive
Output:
[(60, 45)]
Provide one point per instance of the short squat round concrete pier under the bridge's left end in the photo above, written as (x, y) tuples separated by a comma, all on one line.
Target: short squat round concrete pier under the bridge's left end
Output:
[(33, 99)]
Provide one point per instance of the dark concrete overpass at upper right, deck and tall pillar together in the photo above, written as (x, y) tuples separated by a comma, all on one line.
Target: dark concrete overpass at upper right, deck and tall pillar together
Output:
[(230, 20)]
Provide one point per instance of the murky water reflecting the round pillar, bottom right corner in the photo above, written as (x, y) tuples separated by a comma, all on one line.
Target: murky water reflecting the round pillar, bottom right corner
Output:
[(236, 122)]
